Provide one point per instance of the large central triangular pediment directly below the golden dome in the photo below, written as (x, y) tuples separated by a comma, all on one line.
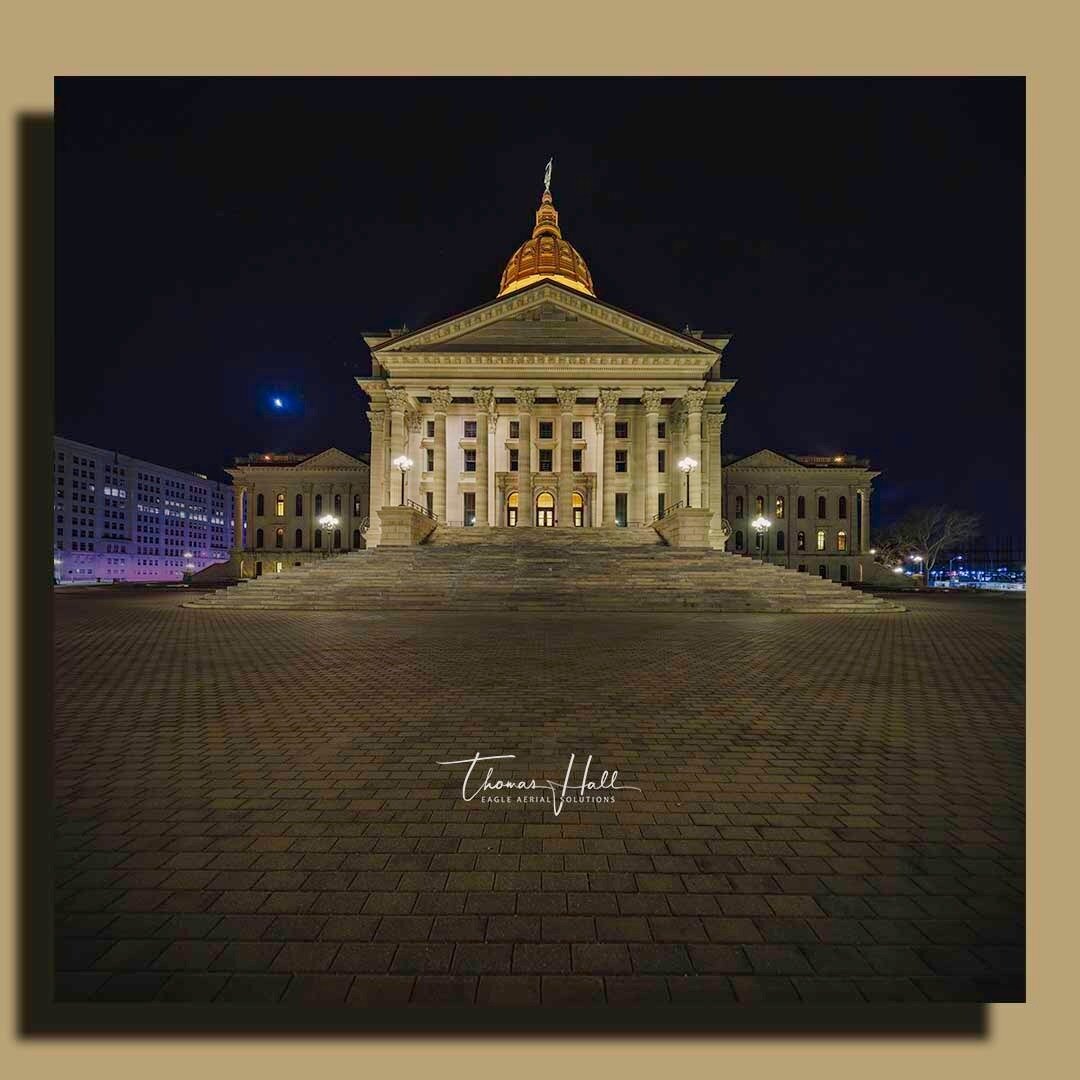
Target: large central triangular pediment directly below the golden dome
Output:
[(547, 319)]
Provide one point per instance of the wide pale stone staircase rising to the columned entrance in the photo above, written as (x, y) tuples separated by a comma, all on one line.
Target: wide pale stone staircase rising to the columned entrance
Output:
[(539, 570)]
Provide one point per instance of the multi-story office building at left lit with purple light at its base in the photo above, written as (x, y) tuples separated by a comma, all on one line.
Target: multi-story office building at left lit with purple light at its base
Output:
[(121, 519)]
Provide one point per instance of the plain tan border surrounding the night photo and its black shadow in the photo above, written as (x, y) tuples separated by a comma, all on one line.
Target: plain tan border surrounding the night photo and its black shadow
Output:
[(784, 37)]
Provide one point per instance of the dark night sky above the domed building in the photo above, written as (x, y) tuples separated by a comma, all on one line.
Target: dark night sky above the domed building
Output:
[(224, 240)]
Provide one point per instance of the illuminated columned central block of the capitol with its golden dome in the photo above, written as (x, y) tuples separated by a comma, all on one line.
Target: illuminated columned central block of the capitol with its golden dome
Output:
[(546, 408)]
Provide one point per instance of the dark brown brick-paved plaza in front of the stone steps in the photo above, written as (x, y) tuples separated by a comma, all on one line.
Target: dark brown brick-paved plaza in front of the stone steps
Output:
[(249, 807)]
